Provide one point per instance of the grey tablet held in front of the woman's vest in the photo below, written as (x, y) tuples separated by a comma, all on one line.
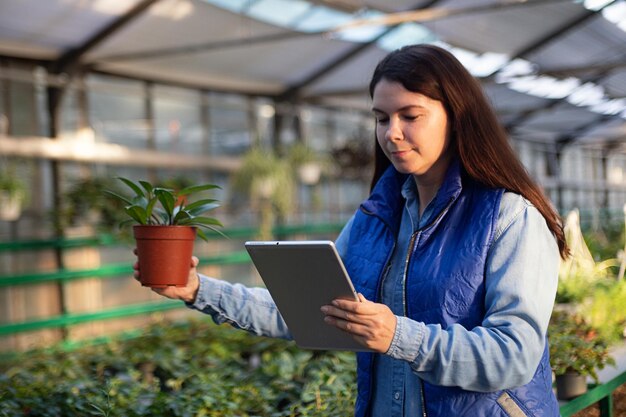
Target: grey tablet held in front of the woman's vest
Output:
[(301, 277)]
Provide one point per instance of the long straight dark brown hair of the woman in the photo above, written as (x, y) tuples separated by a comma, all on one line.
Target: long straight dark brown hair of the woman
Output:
[(477, 137)]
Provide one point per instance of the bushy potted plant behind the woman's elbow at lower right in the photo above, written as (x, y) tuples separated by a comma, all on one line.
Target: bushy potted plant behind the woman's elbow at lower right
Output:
[(576, 352)]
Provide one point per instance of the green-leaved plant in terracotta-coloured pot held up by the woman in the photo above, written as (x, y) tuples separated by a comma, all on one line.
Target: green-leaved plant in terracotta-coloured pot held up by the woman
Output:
[(165, 227)]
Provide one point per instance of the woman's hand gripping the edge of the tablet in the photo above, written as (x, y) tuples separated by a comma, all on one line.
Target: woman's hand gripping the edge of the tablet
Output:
[(371, 324)]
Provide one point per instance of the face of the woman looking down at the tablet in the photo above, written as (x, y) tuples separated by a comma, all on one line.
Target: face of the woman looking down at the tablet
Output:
[(412, 130)]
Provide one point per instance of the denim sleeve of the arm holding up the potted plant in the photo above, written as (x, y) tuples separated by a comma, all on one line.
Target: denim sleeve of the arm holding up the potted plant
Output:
[(247, 308)]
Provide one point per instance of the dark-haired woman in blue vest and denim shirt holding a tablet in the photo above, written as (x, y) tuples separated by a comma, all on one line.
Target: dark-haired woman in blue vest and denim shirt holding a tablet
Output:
[(455, 255)]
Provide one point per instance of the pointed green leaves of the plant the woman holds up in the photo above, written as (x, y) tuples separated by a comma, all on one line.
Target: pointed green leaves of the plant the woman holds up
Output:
[(152, 205)]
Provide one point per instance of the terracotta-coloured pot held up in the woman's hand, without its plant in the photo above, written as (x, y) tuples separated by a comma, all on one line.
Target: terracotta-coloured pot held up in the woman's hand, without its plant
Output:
[(164, 254)]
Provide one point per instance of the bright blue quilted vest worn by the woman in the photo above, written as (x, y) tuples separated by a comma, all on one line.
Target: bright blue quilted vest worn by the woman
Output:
[(444, 285)]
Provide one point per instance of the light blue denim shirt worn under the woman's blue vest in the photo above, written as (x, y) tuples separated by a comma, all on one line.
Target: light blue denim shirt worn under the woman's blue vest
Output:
[(521, 280)]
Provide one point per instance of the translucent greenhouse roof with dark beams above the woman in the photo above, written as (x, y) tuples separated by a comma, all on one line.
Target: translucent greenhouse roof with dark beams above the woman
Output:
[(554, 69)]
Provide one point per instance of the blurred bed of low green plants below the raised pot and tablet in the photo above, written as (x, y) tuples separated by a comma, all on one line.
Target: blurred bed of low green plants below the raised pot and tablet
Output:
[(187, 369)]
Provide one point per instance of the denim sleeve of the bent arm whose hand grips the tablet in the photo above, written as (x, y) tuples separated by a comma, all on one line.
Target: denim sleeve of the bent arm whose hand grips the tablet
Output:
[(505, 350)]
